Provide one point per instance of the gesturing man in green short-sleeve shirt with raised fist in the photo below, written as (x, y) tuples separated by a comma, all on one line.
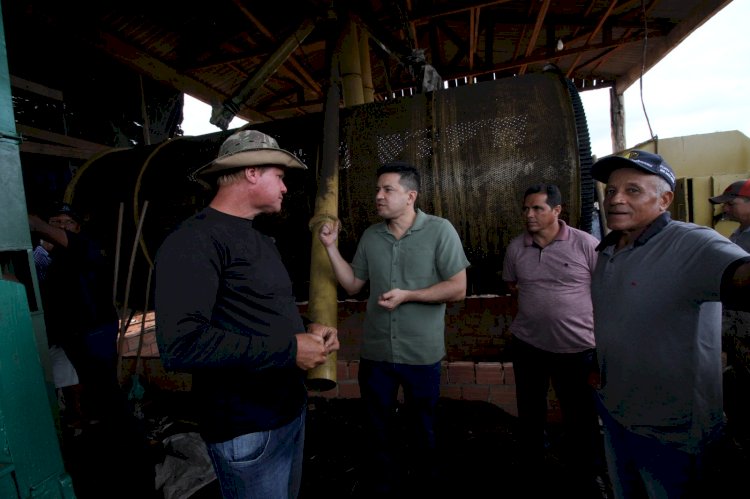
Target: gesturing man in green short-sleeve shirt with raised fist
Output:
[(415, 264)]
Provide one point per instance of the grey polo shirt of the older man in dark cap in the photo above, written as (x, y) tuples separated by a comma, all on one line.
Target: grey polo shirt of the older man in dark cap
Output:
[(657, 321)]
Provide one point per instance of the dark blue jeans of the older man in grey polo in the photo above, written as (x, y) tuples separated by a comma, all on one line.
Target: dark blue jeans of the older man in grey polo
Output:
[(641, 466)]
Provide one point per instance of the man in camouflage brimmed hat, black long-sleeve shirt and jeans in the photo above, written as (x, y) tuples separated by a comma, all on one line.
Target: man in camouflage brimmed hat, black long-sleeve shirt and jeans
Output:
[(226, 313)]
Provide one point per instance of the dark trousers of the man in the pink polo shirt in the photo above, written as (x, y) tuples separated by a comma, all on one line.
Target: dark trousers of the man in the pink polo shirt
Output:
[(569, 372)]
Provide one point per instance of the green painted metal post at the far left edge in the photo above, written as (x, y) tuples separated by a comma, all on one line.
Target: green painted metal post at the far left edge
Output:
[(31, 464)]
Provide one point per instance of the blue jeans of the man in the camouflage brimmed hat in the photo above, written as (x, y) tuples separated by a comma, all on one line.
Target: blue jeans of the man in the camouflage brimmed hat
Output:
[(264, 464)]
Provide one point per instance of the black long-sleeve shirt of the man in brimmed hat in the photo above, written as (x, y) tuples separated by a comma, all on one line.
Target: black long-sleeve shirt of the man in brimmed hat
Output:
[(226, 313)]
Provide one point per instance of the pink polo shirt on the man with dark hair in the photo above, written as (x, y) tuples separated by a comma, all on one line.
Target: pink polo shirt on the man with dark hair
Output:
[(554, 290)]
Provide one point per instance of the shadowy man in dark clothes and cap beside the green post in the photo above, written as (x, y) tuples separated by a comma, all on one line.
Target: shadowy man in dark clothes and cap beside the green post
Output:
[(82, 325)]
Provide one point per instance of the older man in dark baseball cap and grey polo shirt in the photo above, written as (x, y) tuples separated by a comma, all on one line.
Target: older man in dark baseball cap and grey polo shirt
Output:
[(658, 289)]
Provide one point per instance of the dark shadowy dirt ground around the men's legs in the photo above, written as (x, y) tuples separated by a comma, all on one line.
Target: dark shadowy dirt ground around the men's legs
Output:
[(477, 450)]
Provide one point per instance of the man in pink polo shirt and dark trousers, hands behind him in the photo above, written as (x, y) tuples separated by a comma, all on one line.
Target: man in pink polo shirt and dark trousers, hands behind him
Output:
[(548, 270)]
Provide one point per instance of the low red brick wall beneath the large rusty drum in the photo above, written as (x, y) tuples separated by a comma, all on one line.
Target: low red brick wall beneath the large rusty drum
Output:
[(476, 365)]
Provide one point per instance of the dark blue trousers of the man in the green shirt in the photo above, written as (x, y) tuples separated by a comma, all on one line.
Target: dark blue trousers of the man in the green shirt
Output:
[(379, 383)]
